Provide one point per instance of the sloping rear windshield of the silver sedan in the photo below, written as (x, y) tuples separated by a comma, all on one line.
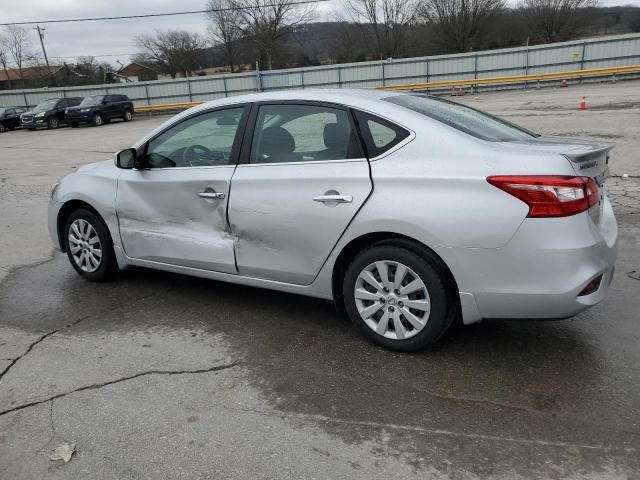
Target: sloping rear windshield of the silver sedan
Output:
[(466, 119)]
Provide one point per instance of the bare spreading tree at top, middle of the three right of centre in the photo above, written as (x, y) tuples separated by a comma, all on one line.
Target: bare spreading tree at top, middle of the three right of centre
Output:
[(459, 25)]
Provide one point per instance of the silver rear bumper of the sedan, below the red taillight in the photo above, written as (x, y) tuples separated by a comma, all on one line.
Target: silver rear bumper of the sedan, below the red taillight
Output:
[(541, 272)]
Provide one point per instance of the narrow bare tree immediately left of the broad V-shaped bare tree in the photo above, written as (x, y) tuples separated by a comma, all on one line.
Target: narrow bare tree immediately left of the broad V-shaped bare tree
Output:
[(224, 29)]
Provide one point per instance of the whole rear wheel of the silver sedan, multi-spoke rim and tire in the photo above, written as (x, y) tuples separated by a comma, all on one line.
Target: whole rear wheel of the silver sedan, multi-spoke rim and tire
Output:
[(397, 298)]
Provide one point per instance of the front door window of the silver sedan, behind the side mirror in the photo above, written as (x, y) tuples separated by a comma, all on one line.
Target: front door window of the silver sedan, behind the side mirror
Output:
[(201, 141)]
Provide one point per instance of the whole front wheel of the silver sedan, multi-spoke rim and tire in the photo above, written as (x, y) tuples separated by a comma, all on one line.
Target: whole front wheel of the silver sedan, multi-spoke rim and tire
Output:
[(89, 246)]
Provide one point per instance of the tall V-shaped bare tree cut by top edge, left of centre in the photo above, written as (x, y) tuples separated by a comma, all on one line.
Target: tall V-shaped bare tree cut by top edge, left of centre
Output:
[(267, 22)]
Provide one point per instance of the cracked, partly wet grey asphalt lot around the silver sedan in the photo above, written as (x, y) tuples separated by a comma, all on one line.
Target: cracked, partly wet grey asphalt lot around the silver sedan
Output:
[(157, 375)]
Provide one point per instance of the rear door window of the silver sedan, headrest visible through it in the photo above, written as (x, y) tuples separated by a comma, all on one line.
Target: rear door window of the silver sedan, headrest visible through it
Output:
[(303, 133)]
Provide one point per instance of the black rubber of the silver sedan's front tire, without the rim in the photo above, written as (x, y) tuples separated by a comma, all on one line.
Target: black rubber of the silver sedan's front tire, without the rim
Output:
[(108, 265)]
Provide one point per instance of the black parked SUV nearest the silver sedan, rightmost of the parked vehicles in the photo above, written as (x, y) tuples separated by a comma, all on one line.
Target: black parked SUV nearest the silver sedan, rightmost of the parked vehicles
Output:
[(99, 109)]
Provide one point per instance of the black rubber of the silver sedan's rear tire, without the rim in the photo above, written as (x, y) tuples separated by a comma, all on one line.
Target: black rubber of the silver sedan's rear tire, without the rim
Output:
[(442, 299)]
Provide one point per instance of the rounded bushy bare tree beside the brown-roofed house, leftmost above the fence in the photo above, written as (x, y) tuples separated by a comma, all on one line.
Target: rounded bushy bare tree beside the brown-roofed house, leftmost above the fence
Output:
[(173, 51)]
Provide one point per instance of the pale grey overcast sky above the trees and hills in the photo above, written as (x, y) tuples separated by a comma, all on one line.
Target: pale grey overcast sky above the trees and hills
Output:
[(116, 37)]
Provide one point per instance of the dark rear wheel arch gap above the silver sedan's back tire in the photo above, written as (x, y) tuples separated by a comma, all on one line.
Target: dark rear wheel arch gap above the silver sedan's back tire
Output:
[(368, 240)]
